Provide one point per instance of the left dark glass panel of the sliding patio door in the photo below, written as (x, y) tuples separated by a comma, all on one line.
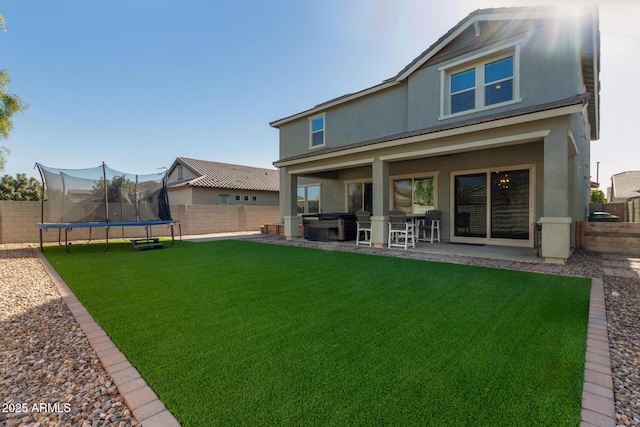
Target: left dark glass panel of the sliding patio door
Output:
[(471, 205)]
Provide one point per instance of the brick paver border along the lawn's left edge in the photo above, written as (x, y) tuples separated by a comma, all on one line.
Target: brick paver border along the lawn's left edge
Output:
[(138, 396)]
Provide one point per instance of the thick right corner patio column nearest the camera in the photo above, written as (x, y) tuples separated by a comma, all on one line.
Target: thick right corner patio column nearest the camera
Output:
[(556, 221)]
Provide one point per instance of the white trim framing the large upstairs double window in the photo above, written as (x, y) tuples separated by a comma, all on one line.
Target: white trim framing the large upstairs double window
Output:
[(484, 57)]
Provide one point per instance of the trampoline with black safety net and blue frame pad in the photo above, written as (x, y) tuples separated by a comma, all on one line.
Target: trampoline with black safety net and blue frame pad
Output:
[(103, 198)]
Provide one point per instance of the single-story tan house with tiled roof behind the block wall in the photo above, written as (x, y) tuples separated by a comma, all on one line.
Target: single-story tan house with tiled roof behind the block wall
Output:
[(201, 182)]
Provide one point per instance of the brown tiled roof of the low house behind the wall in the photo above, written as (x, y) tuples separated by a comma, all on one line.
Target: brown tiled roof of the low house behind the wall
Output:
[(224, 175)]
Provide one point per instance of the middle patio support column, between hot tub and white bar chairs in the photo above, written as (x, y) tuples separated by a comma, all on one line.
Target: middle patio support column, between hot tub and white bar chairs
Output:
[(380, 215)]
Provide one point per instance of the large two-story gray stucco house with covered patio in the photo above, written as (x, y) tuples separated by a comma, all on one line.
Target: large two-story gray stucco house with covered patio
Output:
[(492, 123)]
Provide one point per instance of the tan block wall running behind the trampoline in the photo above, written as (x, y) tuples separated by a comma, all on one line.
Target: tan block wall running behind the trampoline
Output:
[(18, 222)]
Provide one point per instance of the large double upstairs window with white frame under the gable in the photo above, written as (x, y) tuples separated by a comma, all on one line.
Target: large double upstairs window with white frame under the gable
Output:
[(480, 83)]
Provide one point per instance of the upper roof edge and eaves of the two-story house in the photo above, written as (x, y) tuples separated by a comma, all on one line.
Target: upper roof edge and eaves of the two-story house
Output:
[(590, 48)]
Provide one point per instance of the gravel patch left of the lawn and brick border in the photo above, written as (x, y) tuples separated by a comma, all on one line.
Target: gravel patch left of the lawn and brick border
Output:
[(49, 374)]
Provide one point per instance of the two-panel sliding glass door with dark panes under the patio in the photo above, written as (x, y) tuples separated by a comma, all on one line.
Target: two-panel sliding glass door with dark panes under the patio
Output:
[(493, 204)]
